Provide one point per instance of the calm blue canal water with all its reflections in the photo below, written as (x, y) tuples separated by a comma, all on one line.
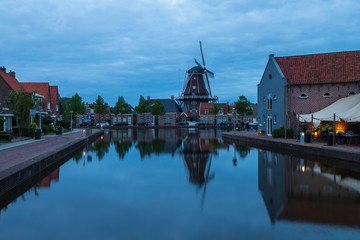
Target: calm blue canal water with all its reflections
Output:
[(186, 184)]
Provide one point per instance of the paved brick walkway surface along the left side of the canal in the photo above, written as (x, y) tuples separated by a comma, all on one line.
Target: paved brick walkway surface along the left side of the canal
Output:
[(12, 154)]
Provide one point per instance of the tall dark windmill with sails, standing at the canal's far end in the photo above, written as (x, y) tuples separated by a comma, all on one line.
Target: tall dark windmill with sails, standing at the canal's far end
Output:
[(196, 88)]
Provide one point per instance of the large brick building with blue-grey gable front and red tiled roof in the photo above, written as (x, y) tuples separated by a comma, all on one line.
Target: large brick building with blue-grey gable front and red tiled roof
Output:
[(304, 84)]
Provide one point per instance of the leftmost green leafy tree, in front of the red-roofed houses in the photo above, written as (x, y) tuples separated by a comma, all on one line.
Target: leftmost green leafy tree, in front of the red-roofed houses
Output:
[(20, 104)]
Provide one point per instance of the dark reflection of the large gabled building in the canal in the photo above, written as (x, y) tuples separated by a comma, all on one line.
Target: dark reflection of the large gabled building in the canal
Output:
[(294, 189)]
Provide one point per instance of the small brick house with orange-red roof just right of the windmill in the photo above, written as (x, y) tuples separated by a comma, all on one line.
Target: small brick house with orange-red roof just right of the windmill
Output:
[(208, 117)]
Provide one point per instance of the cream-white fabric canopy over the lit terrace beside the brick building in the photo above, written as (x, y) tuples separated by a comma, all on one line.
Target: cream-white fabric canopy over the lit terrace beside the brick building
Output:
[(347, 109)]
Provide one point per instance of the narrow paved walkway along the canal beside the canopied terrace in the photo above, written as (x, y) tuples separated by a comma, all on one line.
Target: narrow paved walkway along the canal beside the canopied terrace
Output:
[(315, 144)]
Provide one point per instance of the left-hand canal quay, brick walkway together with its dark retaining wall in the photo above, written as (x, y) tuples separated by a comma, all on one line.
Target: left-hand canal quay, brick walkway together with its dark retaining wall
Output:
[(22, 162)]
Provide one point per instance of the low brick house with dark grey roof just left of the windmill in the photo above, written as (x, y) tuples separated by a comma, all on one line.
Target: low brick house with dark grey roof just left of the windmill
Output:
[(172, 113)]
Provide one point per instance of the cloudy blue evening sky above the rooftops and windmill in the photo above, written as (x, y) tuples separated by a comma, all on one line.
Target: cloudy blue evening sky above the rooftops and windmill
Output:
[(130, 48)]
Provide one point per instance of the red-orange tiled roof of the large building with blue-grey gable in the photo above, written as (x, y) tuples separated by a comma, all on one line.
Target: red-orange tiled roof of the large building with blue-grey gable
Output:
[(321, 68)]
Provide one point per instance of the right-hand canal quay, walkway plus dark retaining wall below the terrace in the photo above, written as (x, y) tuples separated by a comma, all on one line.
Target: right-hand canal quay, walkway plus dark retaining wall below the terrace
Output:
[(314, 150)]
